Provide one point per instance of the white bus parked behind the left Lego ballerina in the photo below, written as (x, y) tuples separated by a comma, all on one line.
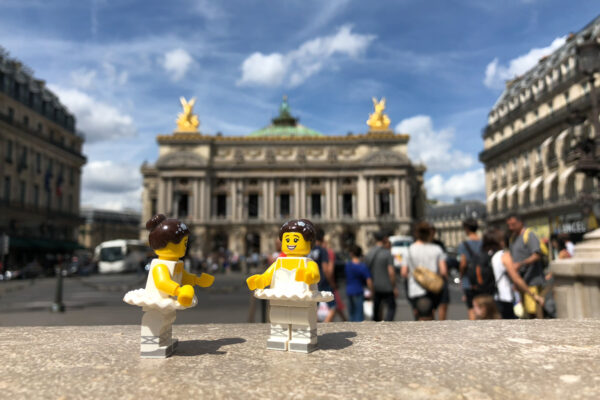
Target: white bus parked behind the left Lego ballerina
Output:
[(121, 255)]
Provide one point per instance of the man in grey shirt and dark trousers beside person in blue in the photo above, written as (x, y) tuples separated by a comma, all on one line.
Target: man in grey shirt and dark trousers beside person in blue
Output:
[(381, 264)]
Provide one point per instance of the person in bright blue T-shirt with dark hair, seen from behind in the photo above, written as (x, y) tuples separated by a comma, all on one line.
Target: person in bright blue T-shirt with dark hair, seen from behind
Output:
[(357, 277)]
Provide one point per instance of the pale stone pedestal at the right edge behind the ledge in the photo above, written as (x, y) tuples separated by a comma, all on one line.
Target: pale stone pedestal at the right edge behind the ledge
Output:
[(577, 280)]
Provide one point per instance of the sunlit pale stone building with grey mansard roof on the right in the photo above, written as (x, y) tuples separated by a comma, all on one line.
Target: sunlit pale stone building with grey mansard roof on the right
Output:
[(529, 139)]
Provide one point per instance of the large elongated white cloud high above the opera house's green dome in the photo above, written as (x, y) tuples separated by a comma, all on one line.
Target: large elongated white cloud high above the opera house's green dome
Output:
[(294, 67)]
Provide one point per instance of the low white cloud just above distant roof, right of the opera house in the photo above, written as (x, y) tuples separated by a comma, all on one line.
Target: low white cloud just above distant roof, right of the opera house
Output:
[(469, 184)]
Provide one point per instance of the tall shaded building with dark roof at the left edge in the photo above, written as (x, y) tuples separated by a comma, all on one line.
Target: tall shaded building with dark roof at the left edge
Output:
[(40, 167)]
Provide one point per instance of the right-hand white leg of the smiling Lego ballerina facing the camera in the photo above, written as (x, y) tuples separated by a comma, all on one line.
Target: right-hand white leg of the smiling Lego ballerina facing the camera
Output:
[(304, 329)]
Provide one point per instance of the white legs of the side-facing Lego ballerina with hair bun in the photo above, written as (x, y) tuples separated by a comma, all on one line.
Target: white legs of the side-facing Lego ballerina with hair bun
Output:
[(156, 338)]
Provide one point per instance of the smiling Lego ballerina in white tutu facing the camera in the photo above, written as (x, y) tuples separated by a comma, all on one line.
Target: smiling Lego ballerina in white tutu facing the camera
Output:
[(292, 291)]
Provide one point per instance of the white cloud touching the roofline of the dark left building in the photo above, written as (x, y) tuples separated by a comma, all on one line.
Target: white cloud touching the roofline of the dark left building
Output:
[(97, 120)]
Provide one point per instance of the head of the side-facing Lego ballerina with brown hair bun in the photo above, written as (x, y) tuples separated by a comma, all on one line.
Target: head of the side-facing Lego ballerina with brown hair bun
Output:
[(168, 237)]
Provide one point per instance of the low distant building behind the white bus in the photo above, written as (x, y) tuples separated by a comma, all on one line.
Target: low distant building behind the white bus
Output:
[(101, 225)]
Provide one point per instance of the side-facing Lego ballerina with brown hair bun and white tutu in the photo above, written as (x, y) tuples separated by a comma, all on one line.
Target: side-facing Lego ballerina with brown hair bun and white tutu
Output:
[(168, 288)]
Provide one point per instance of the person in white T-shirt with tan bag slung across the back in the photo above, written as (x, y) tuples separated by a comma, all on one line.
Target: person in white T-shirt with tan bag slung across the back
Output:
[(425, 269)]
